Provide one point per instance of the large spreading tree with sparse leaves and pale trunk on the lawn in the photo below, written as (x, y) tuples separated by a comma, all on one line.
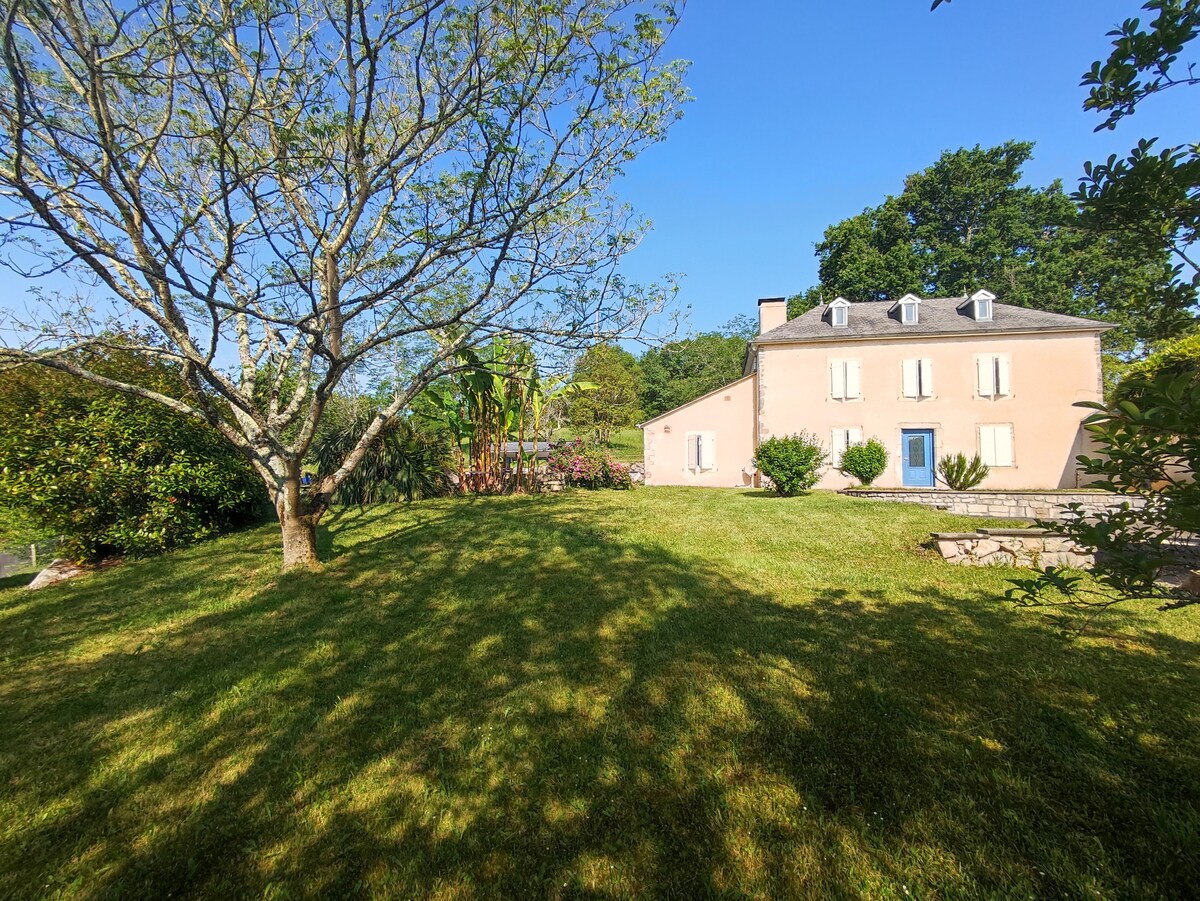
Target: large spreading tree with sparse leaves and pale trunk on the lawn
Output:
[(289, 191)]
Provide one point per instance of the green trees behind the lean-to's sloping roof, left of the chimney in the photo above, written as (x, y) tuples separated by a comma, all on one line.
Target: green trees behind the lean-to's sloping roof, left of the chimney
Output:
[(685, 370)]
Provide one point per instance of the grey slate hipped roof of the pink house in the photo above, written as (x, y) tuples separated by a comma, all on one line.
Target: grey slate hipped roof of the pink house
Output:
[(939, 316)]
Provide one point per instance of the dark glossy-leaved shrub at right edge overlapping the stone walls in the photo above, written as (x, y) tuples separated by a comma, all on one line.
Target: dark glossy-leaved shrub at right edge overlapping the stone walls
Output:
[(1150, 453)]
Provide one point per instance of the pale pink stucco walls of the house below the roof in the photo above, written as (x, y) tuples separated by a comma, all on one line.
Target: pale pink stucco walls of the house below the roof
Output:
[(789, 391)]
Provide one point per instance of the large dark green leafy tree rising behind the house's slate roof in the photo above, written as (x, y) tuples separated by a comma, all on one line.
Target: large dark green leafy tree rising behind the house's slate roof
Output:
[(968, 223)]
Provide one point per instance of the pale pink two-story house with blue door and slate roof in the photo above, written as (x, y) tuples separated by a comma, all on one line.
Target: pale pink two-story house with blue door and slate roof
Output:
[(927, 377)]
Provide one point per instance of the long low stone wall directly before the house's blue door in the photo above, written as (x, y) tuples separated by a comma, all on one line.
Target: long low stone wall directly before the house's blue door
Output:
[(1003, 504)]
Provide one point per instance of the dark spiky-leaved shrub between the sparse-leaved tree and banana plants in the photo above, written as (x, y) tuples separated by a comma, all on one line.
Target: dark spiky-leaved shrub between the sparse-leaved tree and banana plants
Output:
[(406, 462)]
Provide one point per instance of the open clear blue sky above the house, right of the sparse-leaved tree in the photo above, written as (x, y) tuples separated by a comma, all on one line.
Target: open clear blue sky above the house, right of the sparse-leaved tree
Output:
[(808, 111)]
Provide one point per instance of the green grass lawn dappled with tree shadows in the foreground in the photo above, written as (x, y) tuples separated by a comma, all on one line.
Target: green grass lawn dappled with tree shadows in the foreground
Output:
[(653, 694)]
